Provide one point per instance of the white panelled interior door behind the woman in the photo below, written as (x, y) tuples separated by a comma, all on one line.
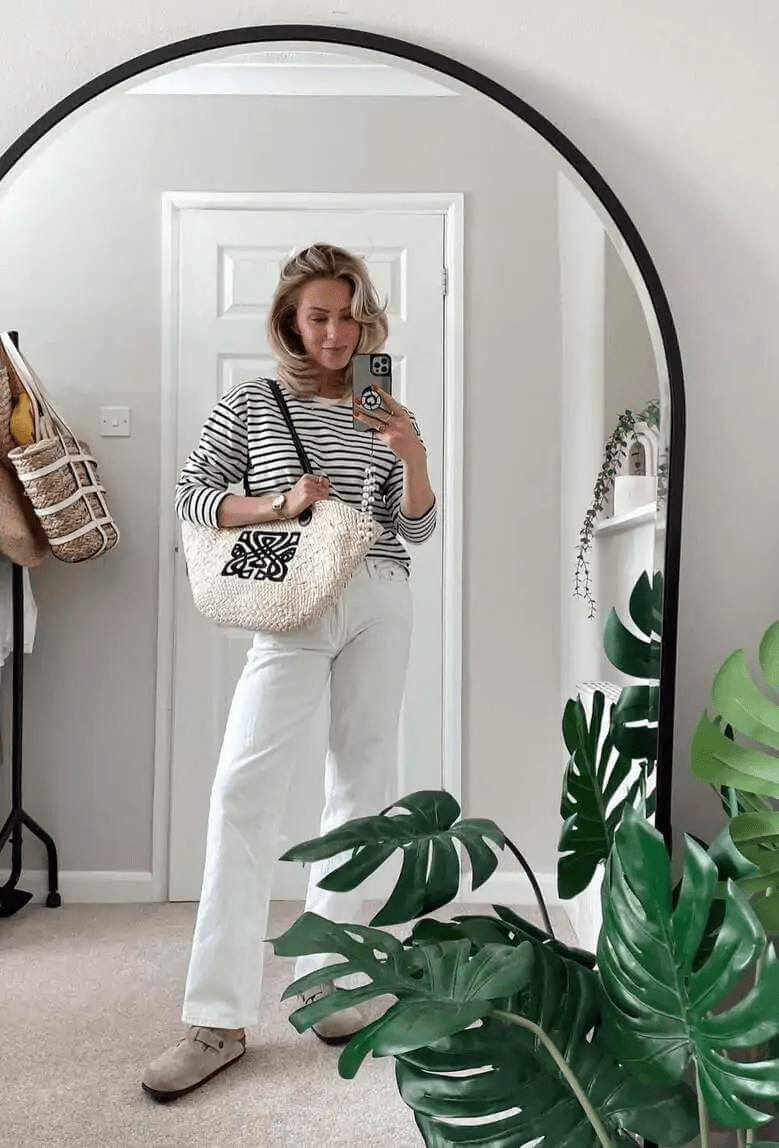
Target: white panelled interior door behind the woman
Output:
[(228, 263)]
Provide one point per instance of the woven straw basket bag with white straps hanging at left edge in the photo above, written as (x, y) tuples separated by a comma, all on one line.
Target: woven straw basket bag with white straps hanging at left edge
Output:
[(60, 477)]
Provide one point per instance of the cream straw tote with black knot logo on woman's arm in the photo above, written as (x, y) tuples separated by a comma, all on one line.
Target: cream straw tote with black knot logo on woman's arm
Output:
[(281, 577)]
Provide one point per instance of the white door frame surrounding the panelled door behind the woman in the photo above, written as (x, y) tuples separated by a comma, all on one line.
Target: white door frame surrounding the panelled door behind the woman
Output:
[(451, 206)]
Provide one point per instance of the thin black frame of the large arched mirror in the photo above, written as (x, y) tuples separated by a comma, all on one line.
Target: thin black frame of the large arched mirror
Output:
[(599, 188)]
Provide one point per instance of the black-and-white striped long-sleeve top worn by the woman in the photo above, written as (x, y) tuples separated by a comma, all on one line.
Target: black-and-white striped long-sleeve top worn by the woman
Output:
[(246, 441)]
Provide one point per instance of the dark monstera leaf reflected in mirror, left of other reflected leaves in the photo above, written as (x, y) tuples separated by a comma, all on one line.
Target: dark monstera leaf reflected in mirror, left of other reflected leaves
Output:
[(589, 805)]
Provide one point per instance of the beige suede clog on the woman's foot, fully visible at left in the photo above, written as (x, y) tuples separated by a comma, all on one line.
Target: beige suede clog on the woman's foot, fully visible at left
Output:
[(191, 1062)]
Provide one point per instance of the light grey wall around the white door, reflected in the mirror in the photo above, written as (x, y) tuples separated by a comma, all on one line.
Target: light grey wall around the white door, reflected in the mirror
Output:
[(80, 230)]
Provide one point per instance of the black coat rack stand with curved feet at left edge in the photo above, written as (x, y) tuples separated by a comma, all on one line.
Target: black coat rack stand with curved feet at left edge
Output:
[(13, 899)]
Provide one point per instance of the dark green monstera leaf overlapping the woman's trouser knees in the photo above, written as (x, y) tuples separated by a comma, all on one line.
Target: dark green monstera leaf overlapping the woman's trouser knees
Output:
[(431, 873)]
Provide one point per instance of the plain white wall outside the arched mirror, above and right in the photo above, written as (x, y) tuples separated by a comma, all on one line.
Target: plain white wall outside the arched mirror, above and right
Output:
[(677, 106)]
